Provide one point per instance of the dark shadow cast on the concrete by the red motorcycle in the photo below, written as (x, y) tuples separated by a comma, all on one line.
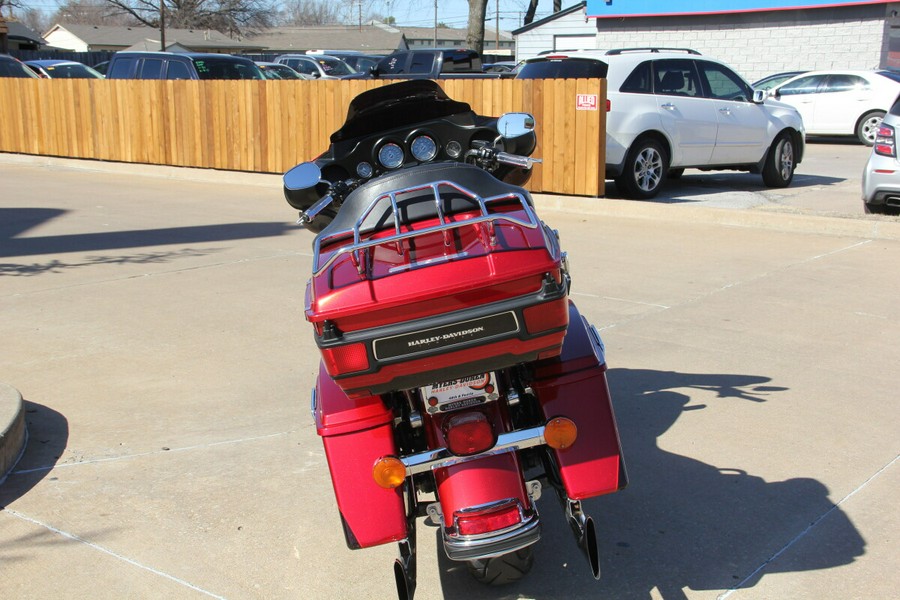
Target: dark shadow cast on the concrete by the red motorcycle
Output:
[(682, 524)]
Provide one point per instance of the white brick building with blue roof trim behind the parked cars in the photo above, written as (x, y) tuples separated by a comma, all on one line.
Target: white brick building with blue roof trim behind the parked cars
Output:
[(750, 35)]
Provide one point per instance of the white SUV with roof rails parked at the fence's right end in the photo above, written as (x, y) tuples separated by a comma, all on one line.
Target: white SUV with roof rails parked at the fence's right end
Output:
[(669, 109)]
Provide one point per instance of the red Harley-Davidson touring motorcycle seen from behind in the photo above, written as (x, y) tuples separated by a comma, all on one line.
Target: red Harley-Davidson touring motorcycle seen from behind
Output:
[(457, 379)]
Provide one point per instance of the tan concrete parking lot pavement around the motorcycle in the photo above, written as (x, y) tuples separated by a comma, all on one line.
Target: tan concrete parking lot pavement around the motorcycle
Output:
[(153, 324)]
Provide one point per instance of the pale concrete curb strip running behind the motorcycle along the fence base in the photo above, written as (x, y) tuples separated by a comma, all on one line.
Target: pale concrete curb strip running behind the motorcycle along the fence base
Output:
[(761, 217)]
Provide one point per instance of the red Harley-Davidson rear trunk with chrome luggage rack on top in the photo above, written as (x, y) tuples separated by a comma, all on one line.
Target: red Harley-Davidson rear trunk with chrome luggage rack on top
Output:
[(477, 284)]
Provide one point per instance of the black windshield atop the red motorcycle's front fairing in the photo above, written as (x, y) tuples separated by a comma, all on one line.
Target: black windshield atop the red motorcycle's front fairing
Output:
[(397, 105)]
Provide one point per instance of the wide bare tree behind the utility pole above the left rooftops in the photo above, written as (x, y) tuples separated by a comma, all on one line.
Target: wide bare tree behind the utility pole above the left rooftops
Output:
[(233, 17)]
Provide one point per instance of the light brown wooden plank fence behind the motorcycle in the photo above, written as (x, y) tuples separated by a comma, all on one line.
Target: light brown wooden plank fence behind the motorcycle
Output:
[(269, 126)]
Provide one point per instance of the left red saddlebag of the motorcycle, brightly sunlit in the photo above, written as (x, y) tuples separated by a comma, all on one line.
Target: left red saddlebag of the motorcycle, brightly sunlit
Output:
[(356, 433)]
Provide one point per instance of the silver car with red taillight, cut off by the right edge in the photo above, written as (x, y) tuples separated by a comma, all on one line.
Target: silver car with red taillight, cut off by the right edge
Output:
[(881, 176)]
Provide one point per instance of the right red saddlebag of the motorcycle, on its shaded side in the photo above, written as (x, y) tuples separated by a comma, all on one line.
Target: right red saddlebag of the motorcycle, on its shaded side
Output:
[(574, 385)]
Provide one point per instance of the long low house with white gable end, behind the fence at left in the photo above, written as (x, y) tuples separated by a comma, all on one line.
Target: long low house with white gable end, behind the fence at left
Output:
[(91, 38)]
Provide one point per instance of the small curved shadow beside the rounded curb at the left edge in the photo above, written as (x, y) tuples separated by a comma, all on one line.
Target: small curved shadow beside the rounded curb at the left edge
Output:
[(48, 435)]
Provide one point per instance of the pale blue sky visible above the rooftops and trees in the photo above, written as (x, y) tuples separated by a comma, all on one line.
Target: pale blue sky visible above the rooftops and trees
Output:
[(420, 13)]
